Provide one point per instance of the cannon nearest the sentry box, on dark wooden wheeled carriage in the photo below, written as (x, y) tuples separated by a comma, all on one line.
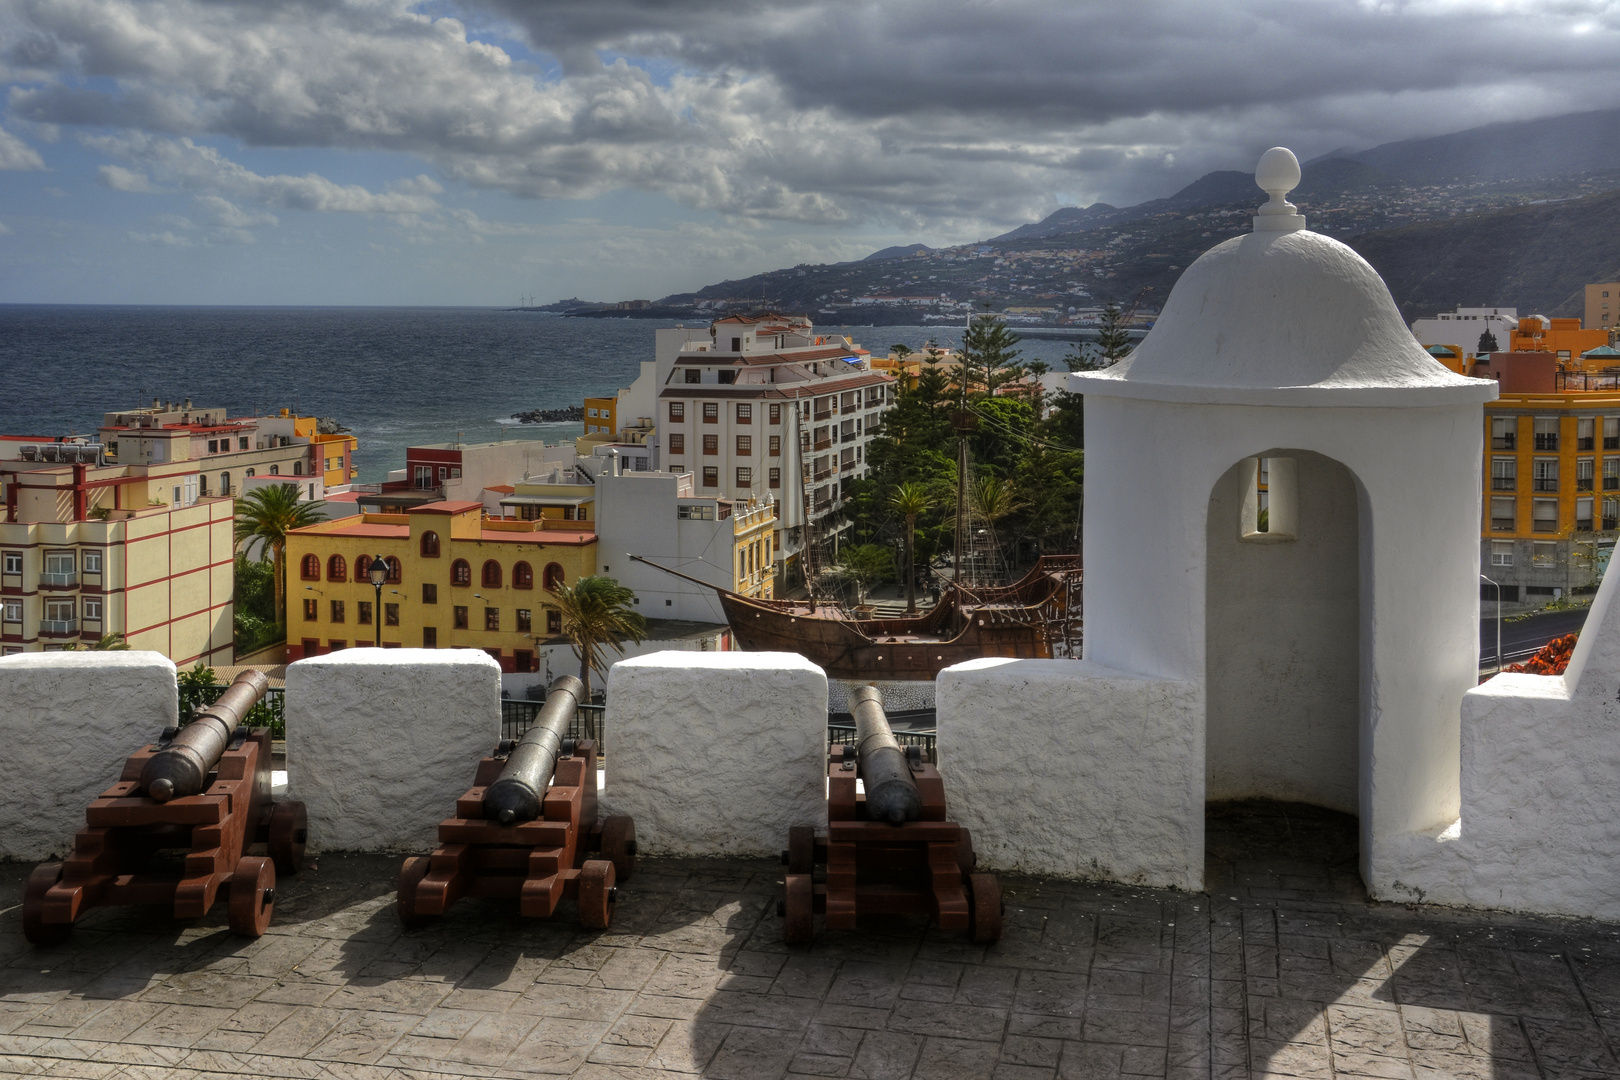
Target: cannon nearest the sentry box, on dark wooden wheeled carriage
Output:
[(887, 848)]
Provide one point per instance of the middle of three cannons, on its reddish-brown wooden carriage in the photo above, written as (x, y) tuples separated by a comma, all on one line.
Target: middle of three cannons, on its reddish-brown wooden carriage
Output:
[(527, 828)]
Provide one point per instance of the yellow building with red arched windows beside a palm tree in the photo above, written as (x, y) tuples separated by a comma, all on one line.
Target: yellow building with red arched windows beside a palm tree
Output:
[(459, 580)]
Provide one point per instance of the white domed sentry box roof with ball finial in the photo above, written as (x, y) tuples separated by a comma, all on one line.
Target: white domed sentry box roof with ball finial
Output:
[(1282, 317)]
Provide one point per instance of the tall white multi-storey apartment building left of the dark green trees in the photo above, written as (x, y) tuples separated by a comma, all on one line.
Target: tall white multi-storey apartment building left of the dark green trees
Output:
[(765, 409)]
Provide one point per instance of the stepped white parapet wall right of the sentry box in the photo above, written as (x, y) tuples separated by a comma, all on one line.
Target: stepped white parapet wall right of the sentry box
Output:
[(1540, 827)]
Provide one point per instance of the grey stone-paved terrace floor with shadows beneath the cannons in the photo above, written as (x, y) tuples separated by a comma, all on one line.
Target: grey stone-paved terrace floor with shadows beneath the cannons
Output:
[(1282, 969)]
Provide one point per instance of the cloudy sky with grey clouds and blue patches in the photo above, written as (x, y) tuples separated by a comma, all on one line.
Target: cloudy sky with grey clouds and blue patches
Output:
[(396, 153)]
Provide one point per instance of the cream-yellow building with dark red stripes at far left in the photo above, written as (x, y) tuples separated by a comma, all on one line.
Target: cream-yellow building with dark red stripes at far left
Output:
[(90, 550)]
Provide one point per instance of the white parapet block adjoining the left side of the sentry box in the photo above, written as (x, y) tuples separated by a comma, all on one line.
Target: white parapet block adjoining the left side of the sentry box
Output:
[(1072, 770)]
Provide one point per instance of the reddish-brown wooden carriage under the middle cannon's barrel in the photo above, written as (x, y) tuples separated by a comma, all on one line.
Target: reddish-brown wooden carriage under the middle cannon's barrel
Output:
[(539, 864)]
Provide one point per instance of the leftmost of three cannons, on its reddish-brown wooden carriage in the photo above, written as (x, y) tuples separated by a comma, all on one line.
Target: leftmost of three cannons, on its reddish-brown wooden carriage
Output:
[(177, 828)]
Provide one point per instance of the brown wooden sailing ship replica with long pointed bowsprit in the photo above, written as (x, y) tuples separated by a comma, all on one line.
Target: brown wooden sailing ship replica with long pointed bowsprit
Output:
[(1036, 618)]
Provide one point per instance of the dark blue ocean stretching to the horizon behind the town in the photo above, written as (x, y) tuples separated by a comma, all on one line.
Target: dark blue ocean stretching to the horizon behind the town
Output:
[(394, 376)]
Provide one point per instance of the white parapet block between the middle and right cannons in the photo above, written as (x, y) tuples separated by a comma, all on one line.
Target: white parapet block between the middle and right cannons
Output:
[(717, 754)]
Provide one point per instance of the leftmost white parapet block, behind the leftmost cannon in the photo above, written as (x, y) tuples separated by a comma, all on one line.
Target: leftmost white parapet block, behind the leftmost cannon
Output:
[(67, 725)]
